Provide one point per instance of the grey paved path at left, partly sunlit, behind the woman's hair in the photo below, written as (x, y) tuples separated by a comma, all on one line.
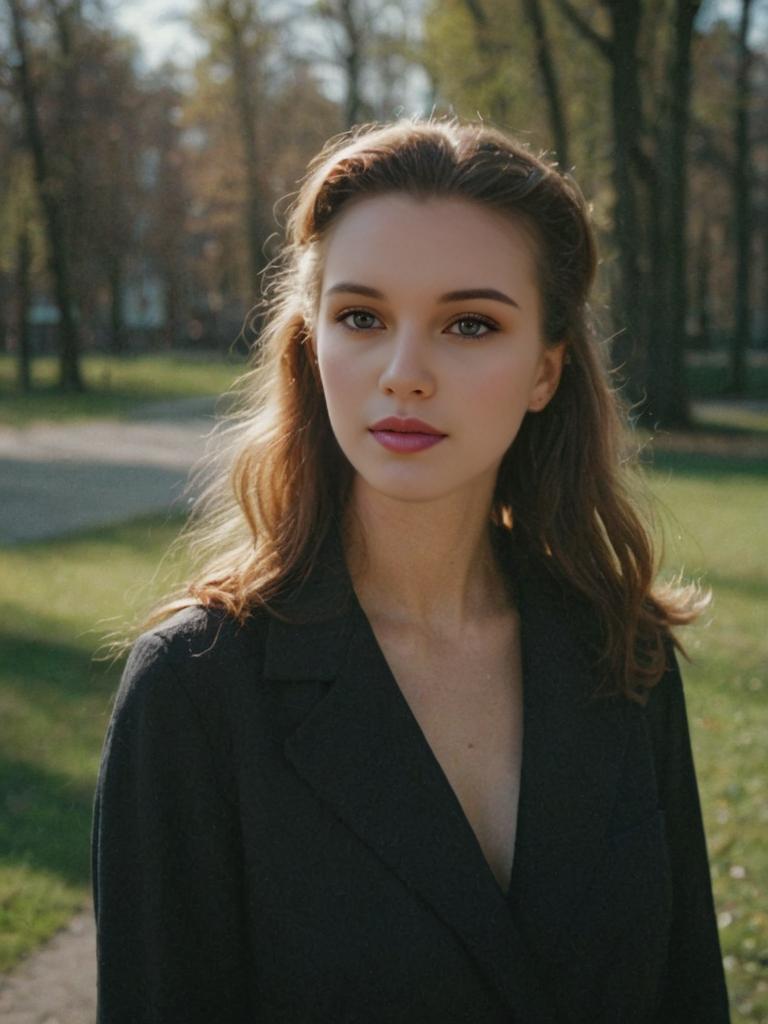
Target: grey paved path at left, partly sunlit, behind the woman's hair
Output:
[(58, 479)]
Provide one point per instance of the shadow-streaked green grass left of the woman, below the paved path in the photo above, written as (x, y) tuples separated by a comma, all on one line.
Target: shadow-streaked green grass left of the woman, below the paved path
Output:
[(57, 604)]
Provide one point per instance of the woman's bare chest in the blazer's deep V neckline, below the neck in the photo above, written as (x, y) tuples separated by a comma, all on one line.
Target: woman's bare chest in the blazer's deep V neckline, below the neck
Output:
[(467, 699)]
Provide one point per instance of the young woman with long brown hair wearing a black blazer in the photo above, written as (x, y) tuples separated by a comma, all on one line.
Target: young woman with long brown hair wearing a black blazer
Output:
[(414, 748)]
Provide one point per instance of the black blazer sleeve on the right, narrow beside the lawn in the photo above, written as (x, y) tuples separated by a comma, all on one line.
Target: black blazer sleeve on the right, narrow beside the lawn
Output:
[(695, 989)]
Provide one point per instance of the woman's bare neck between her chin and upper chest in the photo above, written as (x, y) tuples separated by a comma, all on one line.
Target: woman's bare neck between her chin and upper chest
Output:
[(429, 566)]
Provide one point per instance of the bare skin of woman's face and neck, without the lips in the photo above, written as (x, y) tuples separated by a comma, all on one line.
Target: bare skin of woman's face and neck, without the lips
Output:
[(472, 368)]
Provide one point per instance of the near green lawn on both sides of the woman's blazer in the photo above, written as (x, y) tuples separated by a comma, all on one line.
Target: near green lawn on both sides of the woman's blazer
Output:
[(55, 703)]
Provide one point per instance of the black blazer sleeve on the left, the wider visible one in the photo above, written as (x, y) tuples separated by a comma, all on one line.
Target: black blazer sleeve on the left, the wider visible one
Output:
[(166, 860)]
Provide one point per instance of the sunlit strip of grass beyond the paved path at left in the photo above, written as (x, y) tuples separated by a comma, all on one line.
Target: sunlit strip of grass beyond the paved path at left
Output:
[(115, 387)]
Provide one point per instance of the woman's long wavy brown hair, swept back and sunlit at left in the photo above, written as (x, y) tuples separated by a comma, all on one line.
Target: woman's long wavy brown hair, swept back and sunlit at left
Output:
[(565, 487)]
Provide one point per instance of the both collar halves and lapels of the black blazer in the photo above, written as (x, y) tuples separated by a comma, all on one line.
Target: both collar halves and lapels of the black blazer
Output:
[(364, 753)]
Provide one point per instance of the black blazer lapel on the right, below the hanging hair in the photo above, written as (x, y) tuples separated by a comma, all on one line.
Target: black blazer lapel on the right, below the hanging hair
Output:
[(573, 755)]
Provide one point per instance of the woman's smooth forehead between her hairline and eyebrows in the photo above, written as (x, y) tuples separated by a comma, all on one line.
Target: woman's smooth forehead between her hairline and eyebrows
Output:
[(399, 239)]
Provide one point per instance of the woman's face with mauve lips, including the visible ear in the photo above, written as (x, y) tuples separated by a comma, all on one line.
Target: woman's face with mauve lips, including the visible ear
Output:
[(431, 310)]
